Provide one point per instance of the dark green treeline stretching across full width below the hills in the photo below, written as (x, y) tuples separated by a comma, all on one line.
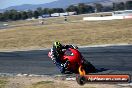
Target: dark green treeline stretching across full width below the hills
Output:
[(79, 9)]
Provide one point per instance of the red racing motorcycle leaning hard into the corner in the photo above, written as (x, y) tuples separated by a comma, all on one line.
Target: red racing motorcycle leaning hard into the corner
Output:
[(76, 62)]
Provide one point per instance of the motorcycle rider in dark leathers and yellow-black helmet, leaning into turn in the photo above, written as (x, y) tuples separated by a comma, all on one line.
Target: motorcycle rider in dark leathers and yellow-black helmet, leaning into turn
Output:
[(57, 51)]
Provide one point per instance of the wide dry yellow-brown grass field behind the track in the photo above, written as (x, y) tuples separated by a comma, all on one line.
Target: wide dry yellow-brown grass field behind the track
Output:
[(79, 33)]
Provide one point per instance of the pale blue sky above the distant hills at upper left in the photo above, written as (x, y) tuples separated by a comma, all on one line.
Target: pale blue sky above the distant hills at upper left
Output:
[(7, 3)]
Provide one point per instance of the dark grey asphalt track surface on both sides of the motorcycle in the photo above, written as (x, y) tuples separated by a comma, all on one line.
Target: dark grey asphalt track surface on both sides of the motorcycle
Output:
[(109, 60)]
